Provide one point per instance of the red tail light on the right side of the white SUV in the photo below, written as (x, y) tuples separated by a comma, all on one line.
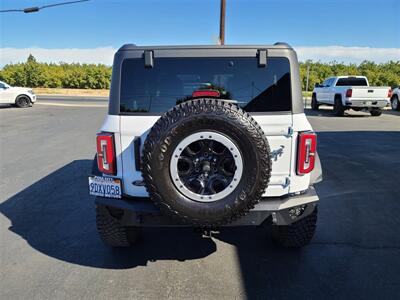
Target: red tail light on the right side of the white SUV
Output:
[(307, 146)]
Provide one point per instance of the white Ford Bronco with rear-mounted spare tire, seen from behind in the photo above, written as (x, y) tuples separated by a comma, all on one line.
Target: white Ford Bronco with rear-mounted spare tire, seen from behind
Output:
[(206, 136)]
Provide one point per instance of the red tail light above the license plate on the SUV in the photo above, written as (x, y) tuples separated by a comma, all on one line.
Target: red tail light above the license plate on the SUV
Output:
[(106, 153)]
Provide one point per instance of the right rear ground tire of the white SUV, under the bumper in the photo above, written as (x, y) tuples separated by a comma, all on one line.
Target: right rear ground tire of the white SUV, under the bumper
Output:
[(298, 234)]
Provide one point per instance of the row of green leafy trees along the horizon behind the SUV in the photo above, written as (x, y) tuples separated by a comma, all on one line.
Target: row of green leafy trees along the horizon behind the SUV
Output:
[(92, 76)]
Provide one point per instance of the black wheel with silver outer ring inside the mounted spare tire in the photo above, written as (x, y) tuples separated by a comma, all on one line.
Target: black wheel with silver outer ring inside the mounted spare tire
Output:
[(205, 167)]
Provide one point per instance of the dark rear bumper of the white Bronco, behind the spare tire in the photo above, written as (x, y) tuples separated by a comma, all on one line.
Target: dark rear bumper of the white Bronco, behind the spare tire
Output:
[(280, 210)]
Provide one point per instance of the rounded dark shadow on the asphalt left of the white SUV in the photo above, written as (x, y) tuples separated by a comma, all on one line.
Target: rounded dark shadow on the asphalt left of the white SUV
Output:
[(56, 216)]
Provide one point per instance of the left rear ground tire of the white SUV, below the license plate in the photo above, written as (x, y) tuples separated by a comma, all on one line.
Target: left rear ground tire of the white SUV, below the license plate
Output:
[(111, 232)]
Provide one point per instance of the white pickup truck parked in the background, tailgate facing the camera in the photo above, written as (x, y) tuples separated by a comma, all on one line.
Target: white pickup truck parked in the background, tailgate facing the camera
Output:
[(350, 92)]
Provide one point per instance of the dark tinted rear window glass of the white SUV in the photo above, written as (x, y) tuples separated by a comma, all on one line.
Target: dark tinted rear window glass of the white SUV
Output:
[(173, 80)]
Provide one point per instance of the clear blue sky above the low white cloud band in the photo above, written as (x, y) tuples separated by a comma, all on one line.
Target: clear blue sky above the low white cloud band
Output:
[(109, 24)]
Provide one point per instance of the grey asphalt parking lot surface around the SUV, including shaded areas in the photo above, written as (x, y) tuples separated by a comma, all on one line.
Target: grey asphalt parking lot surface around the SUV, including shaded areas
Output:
[(50, 248)]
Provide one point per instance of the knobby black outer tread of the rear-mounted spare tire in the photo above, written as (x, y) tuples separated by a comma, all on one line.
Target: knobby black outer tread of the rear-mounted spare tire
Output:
[(242, 119)]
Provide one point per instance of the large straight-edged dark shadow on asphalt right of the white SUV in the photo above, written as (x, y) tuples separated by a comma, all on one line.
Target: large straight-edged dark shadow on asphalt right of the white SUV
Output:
[(355, 253)]
